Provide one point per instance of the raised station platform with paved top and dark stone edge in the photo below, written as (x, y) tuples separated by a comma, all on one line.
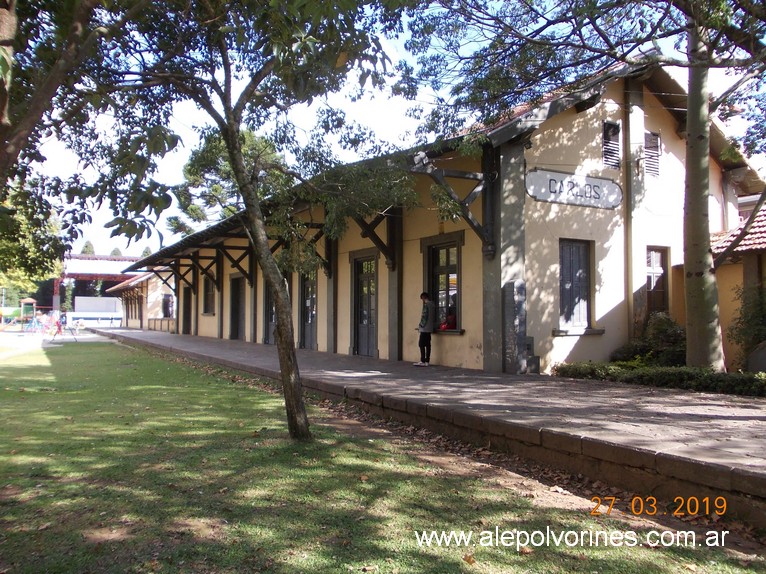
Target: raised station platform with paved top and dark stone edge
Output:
[(659, 442)]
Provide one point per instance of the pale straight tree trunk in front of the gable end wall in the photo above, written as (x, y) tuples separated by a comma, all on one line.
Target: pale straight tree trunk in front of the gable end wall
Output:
[(704, 345)]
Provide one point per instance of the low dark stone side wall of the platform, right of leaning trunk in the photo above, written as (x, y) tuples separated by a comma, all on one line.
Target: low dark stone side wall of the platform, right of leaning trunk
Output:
[(672, 479)]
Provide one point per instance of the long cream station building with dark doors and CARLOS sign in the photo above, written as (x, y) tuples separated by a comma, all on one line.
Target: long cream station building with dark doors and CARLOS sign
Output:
[(570, 233)]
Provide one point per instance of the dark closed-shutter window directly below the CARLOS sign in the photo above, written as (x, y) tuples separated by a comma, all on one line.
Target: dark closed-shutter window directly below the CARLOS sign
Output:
[(574, 284)]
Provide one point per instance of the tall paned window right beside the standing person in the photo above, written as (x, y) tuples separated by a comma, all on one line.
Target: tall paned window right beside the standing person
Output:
[(442, 265)]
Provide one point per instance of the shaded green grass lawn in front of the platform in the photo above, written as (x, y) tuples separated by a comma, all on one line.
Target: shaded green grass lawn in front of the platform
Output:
[(119, 460)]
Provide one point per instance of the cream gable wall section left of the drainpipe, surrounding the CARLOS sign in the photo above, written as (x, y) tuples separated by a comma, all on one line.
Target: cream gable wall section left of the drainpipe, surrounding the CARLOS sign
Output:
[(571, 142)]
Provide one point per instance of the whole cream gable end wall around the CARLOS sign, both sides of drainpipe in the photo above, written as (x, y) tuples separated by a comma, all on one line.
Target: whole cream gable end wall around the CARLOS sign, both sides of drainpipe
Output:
[(571, 142)]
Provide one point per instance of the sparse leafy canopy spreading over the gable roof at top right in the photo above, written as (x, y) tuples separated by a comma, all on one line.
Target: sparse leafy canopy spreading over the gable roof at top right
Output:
[(486, 58)]
